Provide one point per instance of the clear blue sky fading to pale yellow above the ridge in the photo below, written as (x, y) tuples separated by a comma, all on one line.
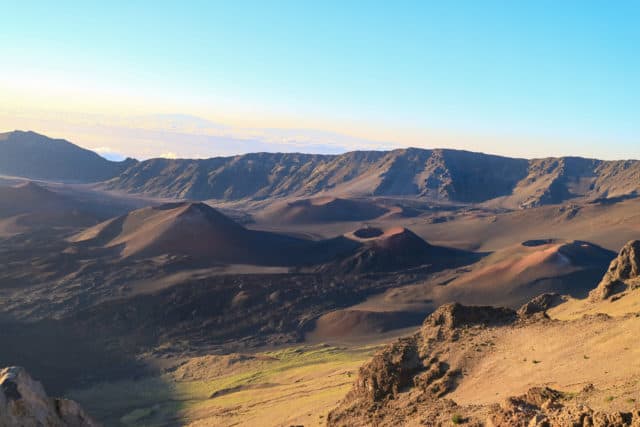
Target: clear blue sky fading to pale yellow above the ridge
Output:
[(205, 78)]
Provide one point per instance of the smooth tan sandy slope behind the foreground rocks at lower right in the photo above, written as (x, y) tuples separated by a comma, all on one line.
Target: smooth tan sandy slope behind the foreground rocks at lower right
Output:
[(566, 356)]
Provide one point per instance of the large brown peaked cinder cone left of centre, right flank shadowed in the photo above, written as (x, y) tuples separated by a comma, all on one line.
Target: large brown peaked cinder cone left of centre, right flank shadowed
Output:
[(195, 230)]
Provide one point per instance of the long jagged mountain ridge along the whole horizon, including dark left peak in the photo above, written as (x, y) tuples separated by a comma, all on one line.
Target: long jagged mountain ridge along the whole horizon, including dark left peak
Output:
[(432, 174)]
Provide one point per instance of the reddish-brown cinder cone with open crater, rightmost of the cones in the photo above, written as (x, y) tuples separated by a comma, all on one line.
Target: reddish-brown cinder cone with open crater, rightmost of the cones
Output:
[(508, 277)]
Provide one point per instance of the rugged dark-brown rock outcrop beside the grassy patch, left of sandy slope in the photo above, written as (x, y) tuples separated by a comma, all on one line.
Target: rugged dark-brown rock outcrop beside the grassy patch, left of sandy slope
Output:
[(419, 362)]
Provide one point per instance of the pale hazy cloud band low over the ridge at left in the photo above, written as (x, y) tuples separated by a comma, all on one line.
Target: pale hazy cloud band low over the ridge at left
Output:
[(179, 135)]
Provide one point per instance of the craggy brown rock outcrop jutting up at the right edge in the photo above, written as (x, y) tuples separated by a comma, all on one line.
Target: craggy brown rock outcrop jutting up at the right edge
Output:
[(623, 273)]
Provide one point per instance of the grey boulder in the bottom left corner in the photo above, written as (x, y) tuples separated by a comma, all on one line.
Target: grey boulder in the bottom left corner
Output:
[(24, 403)]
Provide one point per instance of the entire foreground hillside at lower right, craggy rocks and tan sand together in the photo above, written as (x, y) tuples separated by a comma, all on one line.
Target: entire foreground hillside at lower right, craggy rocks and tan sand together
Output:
[(489, 366)]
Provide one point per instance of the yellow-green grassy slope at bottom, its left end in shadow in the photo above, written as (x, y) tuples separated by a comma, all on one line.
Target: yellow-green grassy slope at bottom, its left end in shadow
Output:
[(260, 389)]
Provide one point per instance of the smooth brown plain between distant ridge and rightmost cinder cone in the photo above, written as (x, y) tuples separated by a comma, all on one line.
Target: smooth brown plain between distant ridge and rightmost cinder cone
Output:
[(610, 226)]
